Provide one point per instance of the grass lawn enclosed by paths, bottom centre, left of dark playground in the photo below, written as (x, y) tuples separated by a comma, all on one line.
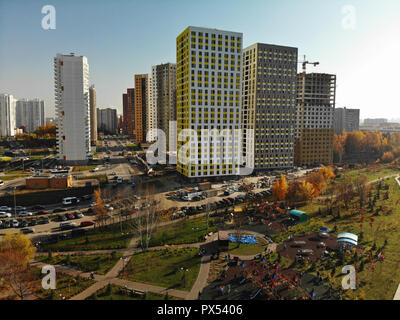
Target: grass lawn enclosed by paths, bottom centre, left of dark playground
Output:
[(163, 268)]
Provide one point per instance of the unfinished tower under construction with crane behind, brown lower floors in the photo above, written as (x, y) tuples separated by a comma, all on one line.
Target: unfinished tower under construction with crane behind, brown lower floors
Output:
[(315, 111)]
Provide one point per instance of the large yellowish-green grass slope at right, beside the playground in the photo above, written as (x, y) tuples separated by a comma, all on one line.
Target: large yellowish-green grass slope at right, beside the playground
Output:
[(377, 280)]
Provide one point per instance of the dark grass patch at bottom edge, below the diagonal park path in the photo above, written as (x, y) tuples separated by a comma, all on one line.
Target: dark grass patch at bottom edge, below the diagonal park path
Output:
[(114, 292)]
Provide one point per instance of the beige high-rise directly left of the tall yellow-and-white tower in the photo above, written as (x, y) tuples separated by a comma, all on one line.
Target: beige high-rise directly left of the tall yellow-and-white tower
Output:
[(164, 98)]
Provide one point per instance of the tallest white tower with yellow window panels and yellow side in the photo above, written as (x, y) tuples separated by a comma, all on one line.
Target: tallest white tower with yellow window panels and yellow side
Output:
[(208, 78)]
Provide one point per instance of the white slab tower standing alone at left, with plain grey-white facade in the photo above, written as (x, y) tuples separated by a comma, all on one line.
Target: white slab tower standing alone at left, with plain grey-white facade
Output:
[(71, 74)]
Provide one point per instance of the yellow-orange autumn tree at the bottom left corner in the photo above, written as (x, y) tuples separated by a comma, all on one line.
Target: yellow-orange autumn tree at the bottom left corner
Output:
[(15, 252)]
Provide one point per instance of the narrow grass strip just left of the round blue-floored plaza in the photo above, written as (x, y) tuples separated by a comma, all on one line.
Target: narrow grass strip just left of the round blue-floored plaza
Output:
[(187, 231)]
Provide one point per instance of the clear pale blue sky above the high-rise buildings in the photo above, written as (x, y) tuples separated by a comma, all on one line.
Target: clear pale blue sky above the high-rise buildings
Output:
[(358, 40)]
